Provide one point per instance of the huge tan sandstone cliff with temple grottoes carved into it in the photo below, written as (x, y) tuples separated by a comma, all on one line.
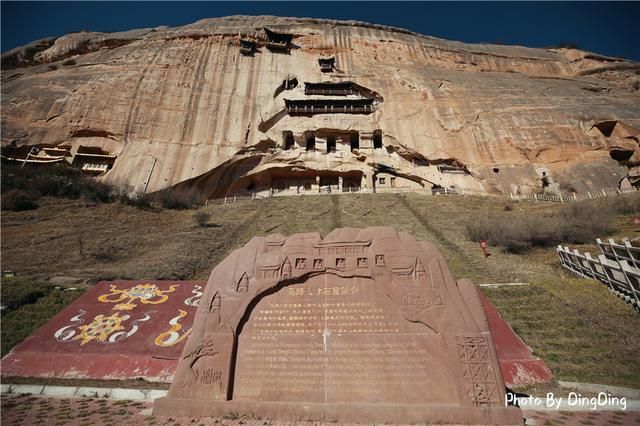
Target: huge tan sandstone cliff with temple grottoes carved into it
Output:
[(314, 104)]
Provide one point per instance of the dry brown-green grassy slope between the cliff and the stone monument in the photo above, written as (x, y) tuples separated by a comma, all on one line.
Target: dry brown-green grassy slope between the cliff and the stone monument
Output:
[(581, 330)]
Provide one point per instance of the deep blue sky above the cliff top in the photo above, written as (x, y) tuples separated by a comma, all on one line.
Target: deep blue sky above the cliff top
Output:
[(608, 28)]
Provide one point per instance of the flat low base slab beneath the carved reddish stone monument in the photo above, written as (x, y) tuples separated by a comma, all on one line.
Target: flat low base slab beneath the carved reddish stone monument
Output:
[(344, 413)]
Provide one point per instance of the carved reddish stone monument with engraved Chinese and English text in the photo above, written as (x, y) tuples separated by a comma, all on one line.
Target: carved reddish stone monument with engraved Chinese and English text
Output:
[(365, 325)]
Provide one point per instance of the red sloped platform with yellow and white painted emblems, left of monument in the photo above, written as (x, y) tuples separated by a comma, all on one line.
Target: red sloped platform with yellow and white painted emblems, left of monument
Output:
[(117, 330)]
